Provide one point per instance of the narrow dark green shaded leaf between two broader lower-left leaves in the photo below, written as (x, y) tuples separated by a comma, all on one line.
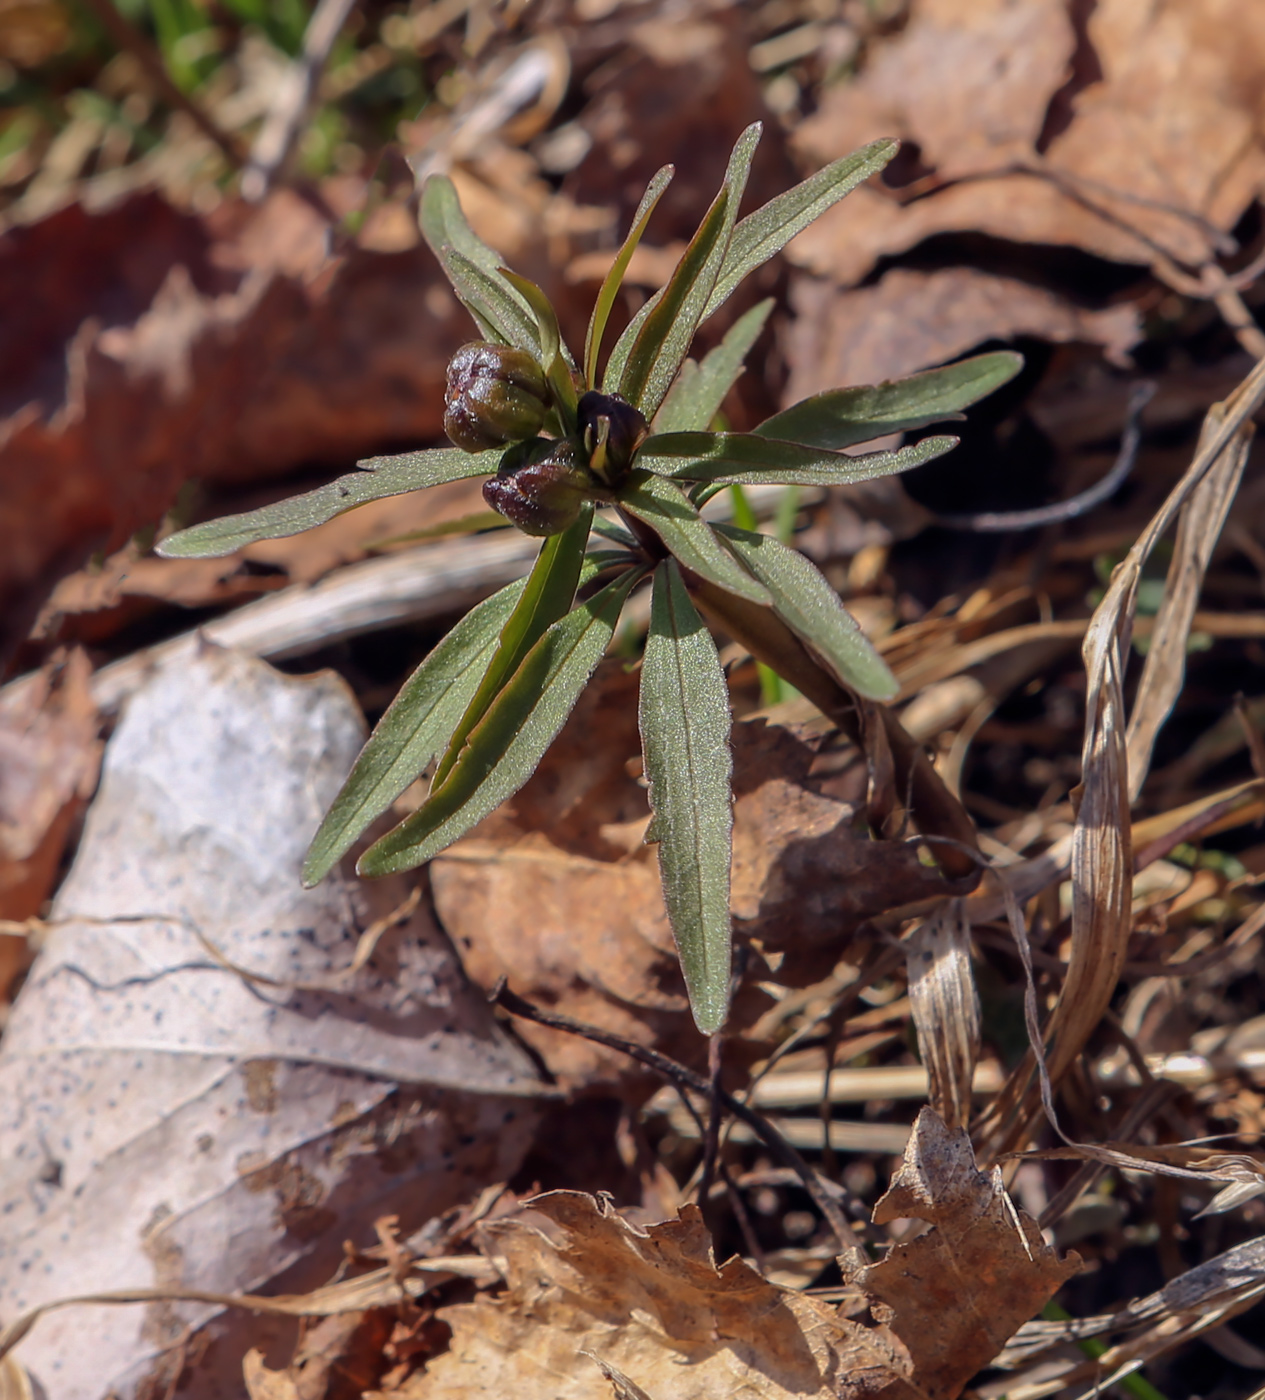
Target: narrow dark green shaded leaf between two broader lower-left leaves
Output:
[(551, 590)]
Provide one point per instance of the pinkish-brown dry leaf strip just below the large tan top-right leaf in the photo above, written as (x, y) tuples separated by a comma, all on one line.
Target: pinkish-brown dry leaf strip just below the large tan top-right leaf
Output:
[(913, 320)]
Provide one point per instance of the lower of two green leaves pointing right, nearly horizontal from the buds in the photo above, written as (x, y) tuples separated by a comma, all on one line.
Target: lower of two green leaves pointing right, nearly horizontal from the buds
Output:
[(751, 460)]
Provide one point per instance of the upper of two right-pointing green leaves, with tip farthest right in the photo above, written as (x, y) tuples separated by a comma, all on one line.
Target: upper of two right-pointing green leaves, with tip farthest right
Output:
[(842, 418)]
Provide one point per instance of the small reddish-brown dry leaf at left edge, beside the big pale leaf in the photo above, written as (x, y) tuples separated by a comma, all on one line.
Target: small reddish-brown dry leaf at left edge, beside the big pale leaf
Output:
[(50, 755)]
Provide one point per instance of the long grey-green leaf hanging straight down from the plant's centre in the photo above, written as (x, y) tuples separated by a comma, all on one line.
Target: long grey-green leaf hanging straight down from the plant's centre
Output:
[(685, 738)]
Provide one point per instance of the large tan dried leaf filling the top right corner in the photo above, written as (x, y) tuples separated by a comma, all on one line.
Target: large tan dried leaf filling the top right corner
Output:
[(1141, 139)]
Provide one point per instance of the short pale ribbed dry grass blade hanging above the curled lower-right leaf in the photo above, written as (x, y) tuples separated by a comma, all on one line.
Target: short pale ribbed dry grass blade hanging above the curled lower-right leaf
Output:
[(947, 1009)]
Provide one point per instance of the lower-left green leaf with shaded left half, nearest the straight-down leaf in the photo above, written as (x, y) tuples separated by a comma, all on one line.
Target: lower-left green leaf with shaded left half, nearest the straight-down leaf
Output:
[(506, 747)]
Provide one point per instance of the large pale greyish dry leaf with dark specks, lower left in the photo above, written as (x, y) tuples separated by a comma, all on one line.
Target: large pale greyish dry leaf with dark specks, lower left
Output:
[(170, 1125)]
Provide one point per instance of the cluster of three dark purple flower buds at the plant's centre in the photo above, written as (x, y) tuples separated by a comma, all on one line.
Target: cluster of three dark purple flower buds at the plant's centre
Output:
[(502, 395)]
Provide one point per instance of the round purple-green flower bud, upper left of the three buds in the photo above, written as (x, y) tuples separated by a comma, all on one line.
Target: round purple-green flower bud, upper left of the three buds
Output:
[(495, 395)]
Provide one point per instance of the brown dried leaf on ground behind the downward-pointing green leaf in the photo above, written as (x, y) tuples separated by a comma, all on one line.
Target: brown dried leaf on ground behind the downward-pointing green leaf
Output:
[(558, 892)]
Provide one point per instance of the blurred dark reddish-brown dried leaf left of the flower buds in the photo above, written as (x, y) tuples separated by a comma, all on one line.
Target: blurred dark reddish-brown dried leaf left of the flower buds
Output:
[(230, 351)]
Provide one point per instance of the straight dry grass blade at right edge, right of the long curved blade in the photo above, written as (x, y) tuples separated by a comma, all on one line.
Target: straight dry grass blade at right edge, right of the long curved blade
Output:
[(1199, 531)]
